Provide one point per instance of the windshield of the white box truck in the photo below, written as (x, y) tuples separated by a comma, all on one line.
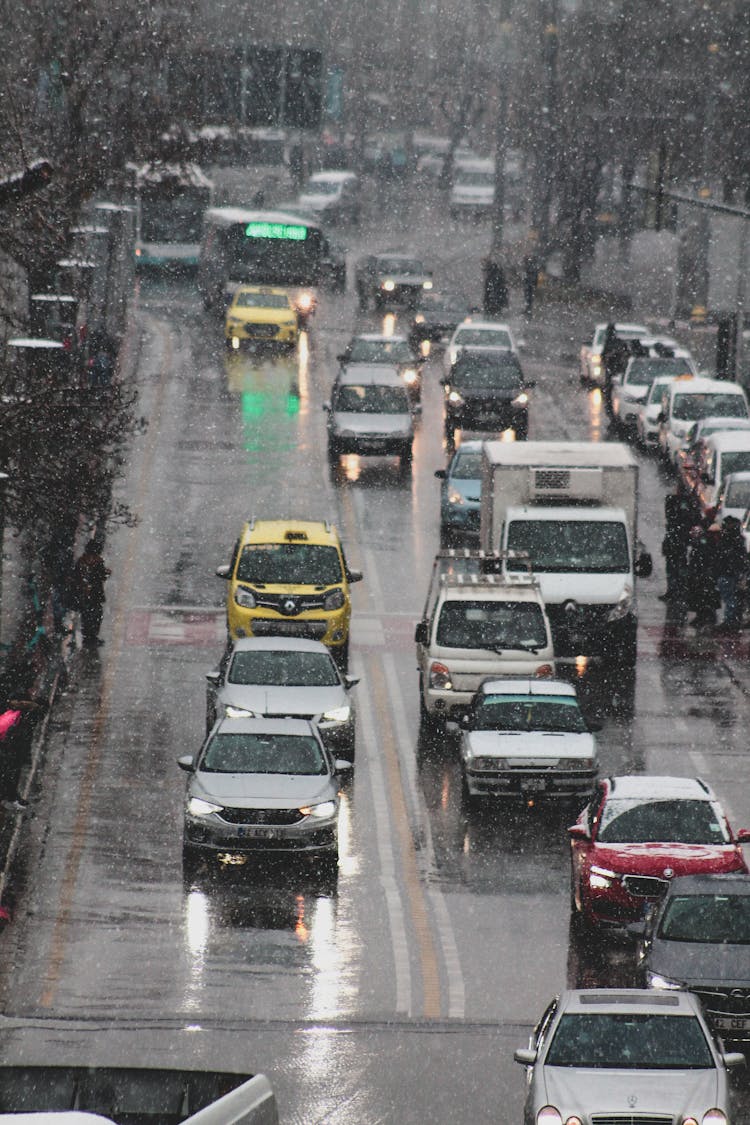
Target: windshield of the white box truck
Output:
[(566, 546)]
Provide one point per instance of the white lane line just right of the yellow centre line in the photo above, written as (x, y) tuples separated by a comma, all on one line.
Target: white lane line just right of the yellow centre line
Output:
[(447, 938)]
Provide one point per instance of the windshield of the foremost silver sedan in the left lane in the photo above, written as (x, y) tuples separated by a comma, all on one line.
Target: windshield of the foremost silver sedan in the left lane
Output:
[(246, 753)]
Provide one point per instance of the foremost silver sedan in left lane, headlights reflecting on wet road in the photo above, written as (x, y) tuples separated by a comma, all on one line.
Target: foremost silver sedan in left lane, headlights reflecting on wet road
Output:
[(261, 787)]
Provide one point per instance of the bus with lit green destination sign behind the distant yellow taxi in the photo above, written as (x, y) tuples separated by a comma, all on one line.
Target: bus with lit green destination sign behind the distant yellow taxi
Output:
[(243, 247)]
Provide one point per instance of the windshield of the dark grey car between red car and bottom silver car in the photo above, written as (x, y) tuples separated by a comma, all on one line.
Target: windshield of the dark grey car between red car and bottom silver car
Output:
[(708, 920)]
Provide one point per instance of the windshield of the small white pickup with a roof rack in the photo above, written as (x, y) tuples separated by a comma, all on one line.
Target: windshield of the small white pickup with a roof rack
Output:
[(494, 626)]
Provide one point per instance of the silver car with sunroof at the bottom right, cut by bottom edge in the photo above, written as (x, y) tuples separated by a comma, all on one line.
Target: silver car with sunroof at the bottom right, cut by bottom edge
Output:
[(626, 1056)]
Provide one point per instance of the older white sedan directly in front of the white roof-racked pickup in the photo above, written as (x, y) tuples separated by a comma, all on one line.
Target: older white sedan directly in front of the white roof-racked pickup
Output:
[(528, 739)]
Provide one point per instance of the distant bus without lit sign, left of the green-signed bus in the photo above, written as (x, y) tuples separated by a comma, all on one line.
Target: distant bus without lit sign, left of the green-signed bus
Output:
[(170, 205)]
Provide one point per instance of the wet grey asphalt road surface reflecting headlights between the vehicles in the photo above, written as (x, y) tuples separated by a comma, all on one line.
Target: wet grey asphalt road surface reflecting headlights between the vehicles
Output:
[(400, 993)]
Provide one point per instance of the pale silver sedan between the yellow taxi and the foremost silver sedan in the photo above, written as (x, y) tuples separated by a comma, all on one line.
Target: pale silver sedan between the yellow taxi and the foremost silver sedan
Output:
[(284, 678)]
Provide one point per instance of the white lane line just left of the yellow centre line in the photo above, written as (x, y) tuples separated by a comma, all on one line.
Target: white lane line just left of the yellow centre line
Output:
[(388, 880)]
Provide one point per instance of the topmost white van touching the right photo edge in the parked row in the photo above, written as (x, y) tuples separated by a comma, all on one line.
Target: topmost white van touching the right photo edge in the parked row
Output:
[(686, 401)]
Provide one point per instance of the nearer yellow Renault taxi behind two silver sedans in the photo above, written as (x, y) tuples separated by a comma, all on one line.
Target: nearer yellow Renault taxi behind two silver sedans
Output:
[(290, 578)]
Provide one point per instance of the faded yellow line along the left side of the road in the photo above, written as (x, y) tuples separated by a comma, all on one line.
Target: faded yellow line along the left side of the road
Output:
[(59, 942)]
